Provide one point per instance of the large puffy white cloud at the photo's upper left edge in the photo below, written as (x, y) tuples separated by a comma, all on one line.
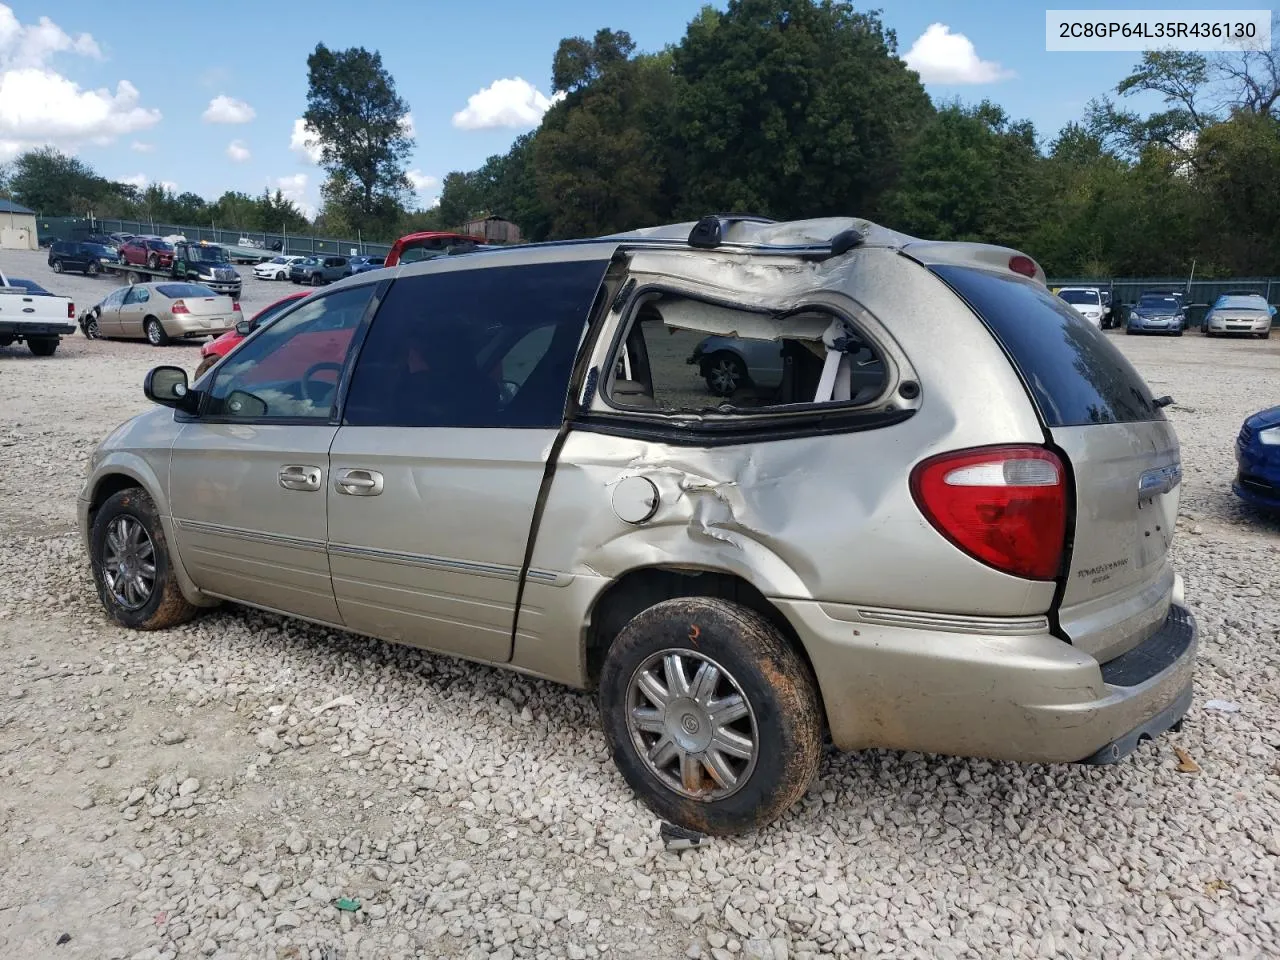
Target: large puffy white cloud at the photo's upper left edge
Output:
[(39, 106)]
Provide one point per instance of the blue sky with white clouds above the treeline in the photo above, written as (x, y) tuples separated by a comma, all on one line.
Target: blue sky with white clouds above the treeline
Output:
[(136, 97)]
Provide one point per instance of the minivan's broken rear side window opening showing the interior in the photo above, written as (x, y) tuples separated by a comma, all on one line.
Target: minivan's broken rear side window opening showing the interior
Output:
[(683, 355)]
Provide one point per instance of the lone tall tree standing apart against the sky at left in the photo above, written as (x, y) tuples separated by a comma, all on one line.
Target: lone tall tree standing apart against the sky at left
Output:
[(360, 124)]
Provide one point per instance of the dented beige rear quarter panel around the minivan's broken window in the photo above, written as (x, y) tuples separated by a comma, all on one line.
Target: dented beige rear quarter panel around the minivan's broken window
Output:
[(828, 518)]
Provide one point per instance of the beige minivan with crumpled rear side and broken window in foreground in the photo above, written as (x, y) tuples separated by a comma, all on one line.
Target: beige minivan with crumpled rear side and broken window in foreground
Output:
[(509, 459)]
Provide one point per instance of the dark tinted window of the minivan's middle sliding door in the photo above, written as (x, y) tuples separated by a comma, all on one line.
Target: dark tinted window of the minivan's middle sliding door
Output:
[(476, 348)]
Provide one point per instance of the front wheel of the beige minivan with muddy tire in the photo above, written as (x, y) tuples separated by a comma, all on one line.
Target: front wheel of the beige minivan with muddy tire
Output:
[(132, 570)]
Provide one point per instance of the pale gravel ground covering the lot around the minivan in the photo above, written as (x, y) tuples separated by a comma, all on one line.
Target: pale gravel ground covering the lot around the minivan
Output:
[(218, 789)]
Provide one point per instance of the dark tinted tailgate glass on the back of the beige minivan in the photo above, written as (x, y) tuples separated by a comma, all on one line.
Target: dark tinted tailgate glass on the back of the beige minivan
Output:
[(1075, 374)]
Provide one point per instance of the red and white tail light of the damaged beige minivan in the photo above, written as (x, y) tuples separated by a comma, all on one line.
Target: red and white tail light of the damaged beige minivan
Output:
[(1004, 506)]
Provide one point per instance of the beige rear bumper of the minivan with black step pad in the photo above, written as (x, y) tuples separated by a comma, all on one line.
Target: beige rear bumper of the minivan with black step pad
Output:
[(1023, 697)]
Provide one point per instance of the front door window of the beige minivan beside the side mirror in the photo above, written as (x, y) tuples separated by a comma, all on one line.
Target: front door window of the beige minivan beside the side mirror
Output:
[(291, 369)]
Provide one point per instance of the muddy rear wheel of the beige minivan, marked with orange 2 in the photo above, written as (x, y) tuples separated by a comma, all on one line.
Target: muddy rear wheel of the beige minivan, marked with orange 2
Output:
[(711, 715)]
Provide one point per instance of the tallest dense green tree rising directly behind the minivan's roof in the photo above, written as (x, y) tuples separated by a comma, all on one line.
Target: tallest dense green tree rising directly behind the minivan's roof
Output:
[(793, 108)]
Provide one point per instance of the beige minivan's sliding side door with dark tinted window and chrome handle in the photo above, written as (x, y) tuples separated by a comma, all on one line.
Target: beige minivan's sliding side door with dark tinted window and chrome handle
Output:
[(455, 403)]
